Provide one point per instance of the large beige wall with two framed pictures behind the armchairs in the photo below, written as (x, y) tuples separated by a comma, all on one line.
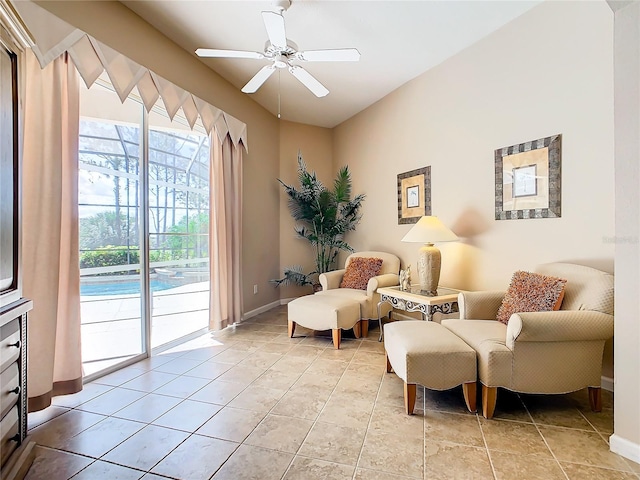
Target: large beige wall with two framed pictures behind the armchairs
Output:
[(550, 71)]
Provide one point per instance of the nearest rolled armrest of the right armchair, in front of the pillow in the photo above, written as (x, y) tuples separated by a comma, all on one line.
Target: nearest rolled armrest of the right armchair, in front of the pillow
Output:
[(559, 326)]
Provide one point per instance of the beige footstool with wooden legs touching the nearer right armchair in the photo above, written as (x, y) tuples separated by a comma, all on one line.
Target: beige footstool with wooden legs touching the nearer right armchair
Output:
[(428, 354)]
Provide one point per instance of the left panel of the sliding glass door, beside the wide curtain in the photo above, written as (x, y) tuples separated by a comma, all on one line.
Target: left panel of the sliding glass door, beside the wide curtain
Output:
[(109, 229)]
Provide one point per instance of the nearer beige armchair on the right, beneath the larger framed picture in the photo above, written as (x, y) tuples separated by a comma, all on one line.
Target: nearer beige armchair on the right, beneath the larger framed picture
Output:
[(543, 352)]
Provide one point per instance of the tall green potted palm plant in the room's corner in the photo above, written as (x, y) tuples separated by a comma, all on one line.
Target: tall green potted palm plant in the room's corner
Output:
[(324, 216)]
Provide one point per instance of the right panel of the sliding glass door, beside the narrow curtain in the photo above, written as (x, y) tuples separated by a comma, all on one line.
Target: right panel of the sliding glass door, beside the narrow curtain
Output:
[(178, 228)]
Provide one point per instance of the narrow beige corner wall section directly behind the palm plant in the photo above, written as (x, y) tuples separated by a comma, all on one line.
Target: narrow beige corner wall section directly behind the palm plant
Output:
[(315, 144)]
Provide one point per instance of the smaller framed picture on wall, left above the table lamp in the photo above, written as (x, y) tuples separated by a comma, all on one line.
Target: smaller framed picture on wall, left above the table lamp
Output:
[(414, 195)]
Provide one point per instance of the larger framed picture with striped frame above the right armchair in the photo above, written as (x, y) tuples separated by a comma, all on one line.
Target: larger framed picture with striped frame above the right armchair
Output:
[(528, 179)]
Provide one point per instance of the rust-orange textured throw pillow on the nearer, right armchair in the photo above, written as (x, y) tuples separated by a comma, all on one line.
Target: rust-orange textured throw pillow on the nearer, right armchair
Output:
[(531, 292)]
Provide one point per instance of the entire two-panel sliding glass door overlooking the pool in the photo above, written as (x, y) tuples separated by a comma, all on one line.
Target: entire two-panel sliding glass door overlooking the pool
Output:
[(144, 221)]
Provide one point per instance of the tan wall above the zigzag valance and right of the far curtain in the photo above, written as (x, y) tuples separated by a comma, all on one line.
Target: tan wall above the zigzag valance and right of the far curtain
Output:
[(120, 28)]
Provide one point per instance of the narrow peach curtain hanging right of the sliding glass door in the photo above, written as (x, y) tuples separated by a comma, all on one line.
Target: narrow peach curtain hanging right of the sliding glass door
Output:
[(225, 232)]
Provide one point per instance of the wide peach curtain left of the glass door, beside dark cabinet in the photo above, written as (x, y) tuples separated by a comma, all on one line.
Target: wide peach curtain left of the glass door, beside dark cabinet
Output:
[(51, 276)]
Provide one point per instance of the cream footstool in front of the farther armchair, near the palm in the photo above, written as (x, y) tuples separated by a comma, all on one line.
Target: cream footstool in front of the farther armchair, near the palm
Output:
[(325, 312)]
